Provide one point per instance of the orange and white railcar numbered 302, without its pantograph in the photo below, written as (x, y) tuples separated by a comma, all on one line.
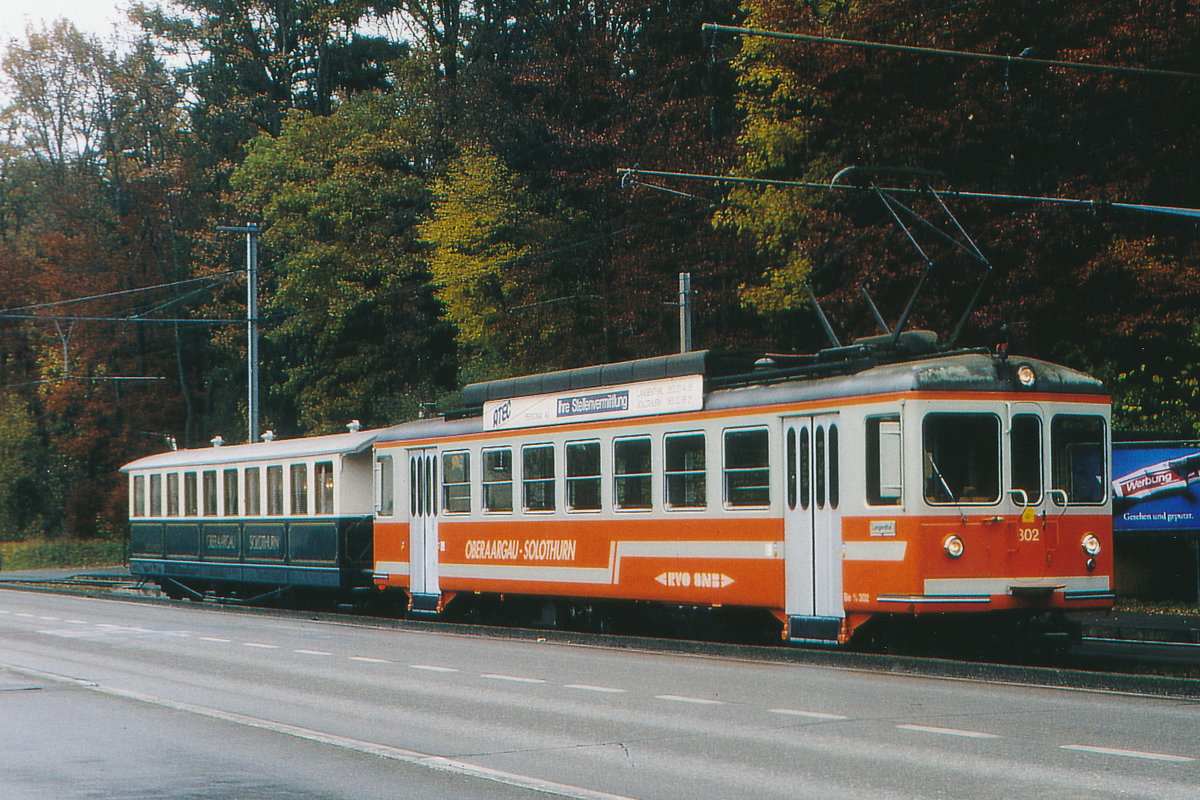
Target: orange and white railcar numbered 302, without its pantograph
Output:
[(885, 479)]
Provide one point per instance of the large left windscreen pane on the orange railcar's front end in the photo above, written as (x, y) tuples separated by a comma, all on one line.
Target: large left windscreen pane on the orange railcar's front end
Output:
[(962, 459)]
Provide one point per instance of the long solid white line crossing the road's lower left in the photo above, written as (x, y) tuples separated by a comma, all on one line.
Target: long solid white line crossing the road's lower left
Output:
[(416, 759)]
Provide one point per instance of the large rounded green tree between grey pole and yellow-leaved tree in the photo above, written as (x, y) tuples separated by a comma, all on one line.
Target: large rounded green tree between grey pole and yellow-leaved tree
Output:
[(341, 197)]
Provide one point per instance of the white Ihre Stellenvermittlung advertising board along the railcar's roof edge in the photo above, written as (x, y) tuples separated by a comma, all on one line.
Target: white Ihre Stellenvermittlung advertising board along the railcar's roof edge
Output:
[(644, 399)]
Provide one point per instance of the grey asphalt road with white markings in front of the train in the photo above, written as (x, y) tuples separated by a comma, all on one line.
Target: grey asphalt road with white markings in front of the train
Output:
[(103, 699)]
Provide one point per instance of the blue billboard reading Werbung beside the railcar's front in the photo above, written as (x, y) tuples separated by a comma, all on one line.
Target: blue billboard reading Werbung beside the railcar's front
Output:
[(1156, 488)]
